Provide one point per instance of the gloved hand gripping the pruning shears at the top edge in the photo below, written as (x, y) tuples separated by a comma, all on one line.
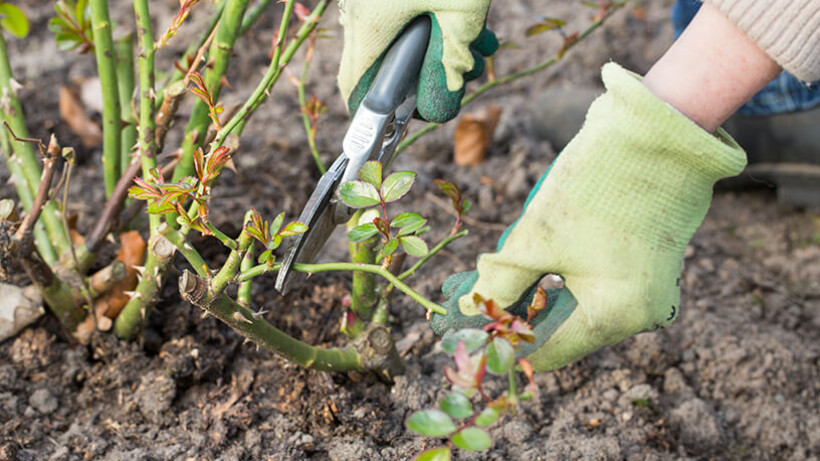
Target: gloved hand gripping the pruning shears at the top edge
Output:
[(458, 44)]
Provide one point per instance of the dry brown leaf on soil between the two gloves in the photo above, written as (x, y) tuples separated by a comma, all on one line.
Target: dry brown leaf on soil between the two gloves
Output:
[(474, 135)]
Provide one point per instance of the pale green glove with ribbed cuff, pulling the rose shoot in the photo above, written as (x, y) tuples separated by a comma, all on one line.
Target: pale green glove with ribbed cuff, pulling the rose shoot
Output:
[(613, 216)]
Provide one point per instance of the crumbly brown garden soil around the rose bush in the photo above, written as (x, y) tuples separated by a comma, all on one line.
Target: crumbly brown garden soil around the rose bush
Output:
[(736, 377)]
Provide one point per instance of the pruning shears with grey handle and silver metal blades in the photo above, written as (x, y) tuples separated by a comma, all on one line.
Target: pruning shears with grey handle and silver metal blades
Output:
[(374, 133)]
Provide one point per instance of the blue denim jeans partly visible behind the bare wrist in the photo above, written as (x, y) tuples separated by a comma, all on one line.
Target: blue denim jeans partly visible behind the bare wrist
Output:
[(783, 94)]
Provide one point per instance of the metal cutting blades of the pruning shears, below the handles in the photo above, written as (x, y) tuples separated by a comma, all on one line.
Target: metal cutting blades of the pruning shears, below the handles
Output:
[(318, 215)]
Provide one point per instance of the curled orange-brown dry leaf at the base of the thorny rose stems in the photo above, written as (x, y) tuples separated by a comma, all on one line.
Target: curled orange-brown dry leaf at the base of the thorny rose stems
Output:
[(132, 253)]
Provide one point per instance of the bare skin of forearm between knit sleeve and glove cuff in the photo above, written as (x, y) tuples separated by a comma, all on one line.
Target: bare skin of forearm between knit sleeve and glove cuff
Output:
[(711, 70)]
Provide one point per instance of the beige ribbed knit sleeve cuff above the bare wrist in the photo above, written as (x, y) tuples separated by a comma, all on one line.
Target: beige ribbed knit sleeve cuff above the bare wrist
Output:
[(788, 30)]
